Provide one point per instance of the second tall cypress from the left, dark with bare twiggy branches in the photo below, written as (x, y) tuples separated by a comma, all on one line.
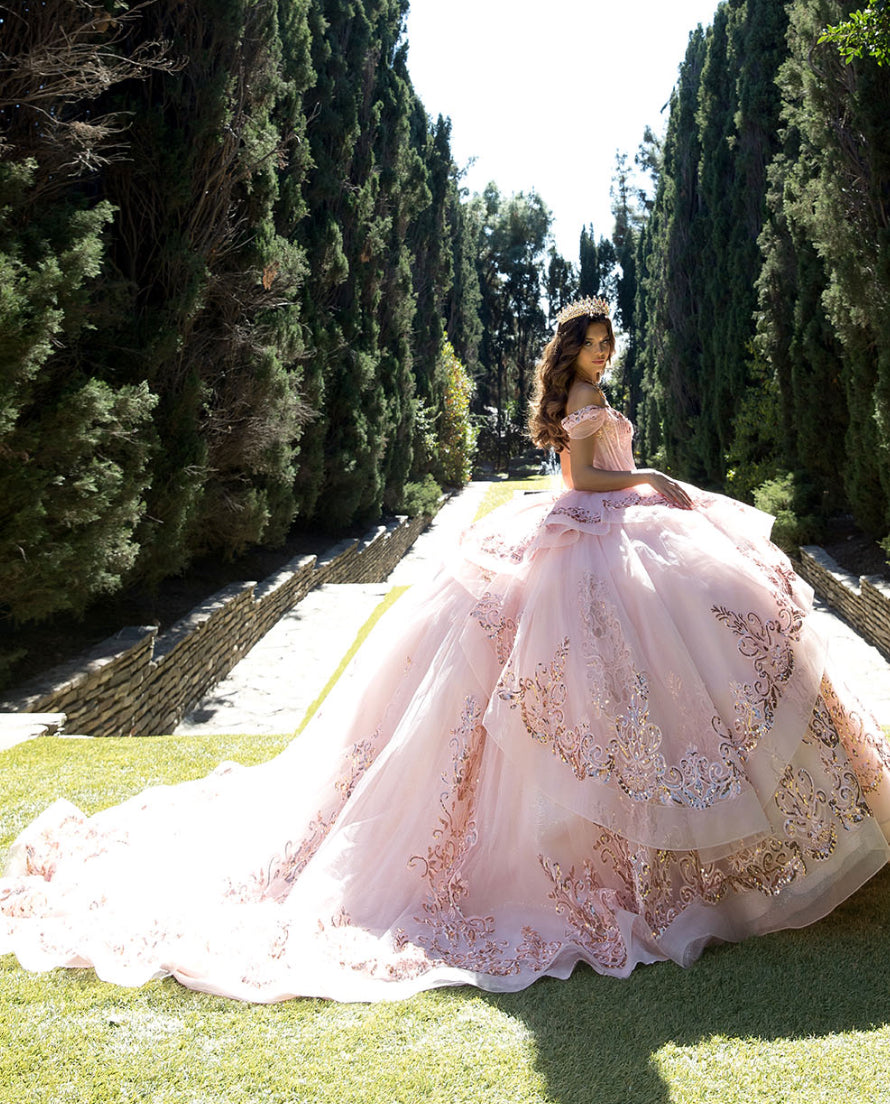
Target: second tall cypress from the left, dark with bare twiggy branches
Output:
[(214, 281)]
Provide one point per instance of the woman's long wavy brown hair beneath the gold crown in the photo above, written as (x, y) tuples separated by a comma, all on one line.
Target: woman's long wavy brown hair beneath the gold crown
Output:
[(554, 377)]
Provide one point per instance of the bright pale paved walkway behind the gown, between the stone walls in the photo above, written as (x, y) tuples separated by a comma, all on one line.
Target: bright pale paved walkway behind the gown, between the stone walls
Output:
[(282, 676)]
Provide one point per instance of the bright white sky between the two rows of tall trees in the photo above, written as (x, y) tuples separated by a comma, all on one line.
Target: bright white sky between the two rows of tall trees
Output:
[(543, 94)]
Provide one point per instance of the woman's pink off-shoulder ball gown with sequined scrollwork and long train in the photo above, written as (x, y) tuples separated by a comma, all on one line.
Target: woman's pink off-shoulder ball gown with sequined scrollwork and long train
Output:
[(603, 734)]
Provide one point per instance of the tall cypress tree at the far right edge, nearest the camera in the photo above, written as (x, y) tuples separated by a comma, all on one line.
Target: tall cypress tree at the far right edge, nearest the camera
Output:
[(839, 192)]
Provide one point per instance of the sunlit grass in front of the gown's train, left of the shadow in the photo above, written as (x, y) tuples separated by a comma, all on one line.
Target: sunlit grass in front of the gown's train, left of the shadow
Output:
[(79, 1042)]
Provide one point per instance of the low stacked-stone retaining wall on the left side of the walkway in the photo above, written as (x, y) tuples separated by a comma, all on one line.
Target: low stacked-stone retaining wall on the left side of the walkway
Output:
[(139, 684)]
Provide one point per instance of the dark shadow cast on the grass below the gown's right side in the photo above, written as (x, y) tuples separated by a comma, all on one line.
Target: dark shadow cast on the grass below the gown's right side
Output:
[(597, 1036)]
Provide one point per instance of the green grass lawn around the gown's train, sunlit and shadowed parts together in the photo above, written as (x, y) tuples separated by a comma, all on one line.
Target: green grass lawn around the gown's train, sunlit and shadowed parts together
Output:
[(794, 1018)]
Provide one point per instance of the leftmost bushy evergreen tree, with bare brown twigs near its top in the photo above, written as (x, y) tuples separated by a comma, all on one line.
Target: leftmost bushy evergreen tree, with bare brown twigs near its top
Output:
[(75, 432)]
